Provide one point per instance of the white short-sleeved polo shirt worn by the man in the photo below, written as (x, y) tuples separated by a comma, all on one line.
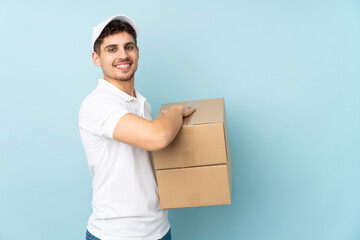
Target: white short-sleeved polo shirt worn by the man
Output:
[(125, 195)]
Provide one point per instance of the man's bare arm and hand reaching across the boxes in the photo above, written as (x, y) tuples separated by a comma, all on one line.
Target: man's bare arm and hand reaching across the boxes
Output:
[(151, 135)]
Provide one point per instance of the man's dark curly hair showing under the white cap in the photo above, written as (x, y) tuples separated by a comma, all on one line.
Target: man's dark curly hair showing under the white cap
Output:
[(113, 27)]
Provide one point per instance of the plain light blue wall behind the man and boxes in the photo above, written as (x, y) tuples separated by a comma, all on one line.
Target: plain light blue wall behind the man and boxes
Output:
[(288, 70)]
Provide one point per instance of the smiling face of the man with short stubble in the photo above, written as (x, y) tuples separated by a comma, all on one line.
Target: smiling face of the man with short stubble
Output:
[(118, 57)]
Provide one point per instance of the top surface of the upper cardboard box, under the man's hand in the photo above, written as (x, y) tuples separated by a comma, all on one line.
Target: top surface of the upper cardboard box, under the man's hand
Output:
[(207, 111)]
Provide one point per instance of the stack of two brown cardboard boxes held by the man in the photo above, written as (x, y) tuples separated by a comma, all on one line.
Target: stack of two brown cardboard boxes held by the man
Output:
[(195, 169)]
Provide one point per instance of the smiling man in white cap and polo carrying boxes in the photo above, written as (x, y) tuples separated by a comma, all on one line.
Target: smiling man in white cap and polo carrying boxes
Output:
[(117, 132)]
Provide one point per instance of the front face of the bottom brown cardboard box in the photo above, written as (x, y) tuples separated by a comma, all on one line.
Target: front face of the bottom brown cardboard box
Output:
[(193, 187)]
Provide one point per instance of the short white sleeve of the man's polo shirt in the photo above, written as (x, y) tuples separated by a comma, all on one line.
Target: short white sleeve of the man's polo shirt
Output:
[(100, 115)]
